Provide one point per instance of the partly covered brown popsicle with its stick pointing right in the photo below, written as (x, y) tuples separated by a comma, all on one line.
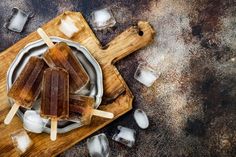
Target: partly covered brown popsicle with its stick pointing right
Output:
[(81, 109)]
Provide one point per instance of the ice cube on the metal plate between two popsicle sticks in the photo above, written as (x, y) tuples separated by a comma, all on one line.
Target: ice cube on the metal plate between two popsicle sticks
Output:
[(33, 122)]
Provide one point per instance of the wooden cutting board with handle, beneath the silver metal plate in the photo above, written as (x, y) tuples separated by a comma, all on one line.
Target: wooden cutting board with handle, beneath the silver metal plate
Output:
[(117, 96)]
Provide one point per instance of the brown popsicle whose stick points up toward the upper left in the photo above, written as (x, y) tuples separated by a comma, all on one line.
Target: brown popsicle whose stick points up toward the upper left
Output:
[(60, 55)]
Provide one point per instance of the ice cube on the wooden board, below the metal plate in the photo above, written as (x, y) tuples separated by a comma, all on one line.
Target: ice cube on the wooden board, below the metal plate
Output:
[(21, 141)]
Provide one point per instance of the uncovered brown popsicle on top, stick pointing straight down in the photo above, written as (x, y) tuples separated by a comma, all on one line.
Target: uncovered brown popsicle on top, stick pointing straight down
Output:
[(55, 97)]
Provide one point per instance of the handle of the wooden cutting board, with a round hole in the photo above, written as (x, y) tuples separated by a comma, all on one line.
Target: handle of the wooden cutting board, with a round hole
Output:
[(135, 38)]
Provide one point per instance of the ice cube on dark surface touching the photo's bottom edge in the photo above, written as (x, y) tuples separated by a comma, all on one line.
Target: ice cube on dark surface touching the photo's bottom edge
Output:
[(98, 146)]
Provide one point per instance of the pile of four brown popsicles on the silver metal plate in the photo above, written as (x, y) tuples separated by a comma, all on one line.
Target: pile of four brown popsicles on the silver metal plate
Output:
[(55, 76)]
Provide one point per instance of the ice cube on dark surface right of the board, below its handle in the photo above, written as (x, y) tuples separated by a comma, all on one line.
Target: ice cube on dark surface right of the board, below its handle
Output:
[(146, 75)]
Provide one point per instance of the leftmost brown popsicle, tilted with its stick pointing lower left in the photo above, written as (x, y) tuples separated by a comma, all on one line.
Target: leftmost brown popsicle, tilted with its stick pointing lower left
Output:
[(26, 87)]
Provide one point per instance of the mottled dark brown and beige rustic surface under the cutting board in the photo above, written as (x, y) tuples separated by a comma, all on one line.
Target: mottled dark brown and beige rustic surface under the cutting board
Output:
[(192, 107)]
